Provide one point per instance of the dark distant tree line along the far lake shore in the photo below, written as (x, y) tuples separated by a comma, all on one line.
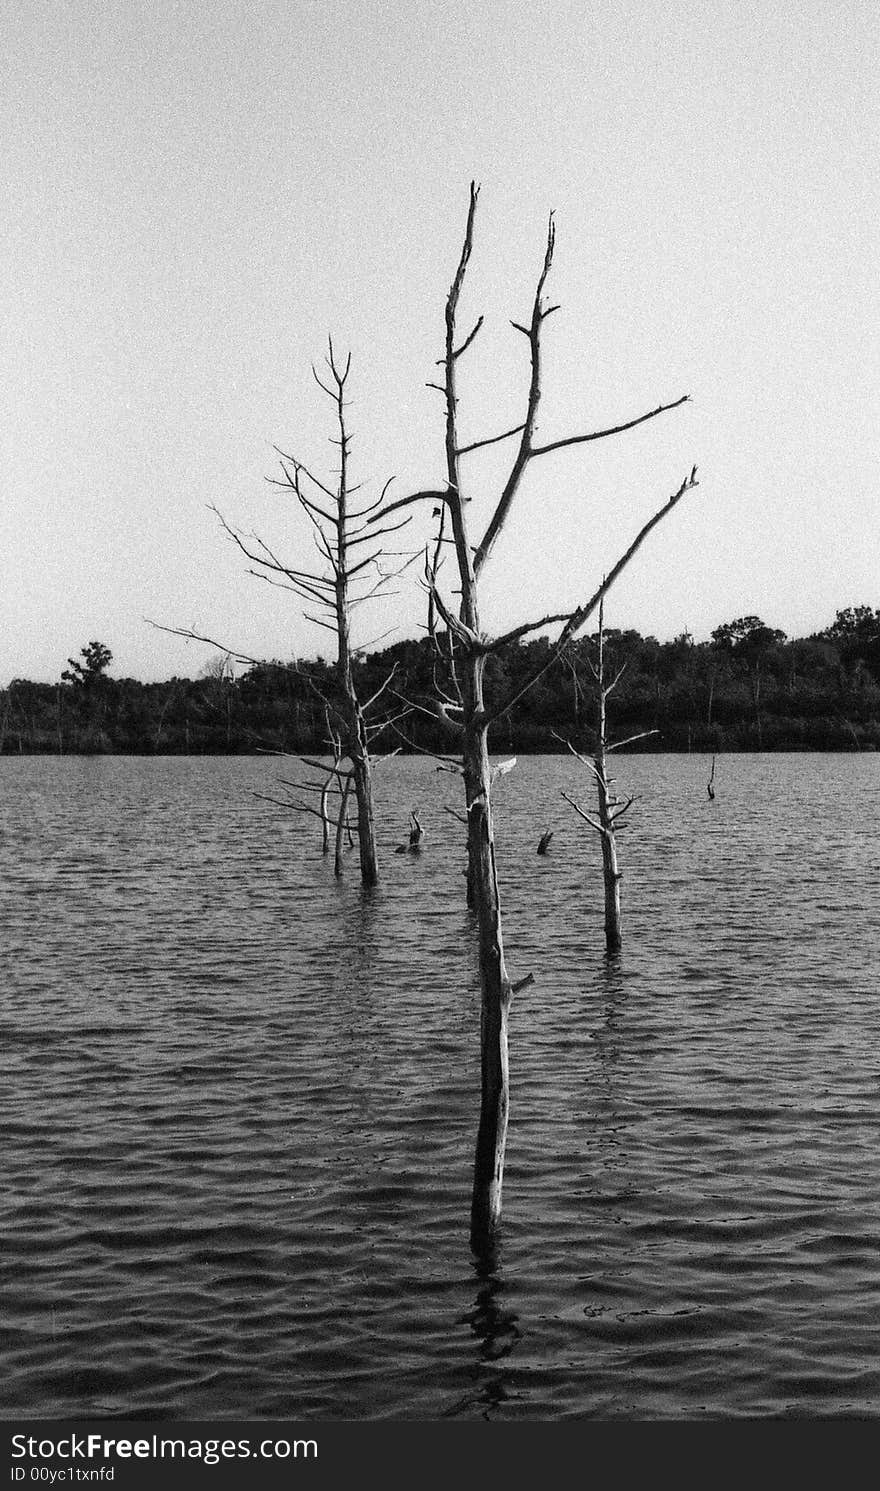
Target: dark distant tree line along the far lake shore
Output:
[(749, 688)]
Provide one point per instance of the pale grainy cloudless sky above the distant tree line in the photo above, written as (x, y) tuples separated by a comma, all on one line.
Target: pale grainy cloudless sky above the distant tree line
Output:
[(199, 195)]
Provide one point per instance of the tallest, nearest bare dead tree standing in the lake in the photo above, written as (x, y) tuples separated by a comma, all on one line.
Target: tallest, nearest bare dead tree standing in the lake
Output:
[(462, 704)]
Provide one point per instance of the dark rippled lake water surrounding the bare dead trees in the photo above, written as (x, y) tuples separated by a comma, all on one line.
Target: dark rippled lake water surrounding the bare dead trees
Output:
[(239, 1100)]
